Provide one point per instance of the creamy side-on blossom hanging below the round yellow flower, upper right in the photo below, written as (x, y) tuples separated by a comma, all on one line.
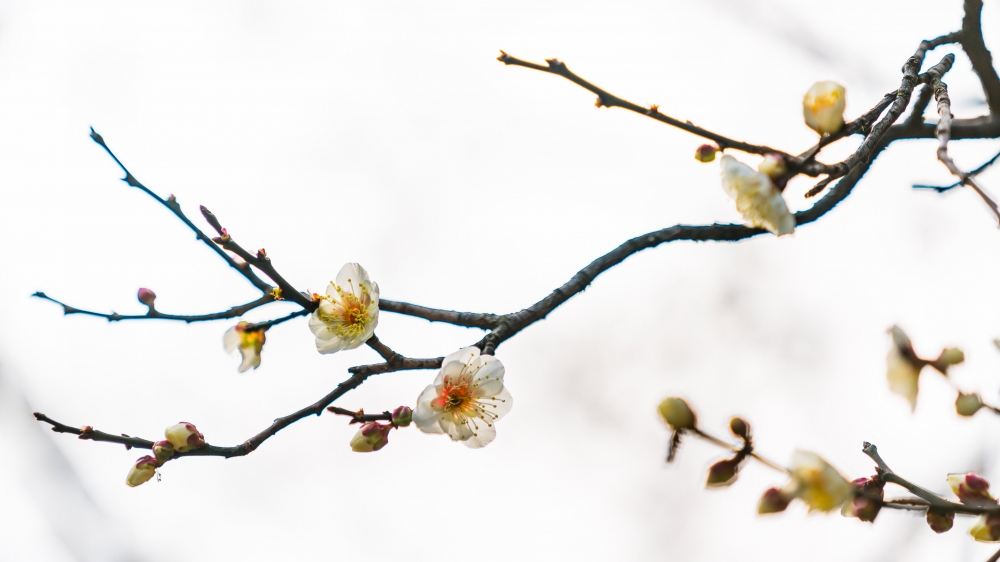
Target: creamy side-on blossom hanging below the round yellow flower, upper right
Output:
[(756, 198)]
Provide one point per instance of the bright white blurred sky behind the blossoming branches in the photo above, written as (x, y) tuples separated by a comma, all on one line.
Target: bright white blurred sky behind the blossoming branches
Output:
[(386, 133)]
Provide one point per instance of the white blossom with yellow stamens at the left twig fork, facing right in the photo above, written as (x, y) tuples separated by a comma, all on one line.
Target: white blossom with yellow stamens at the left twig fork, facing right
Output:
[(348, 313)]
